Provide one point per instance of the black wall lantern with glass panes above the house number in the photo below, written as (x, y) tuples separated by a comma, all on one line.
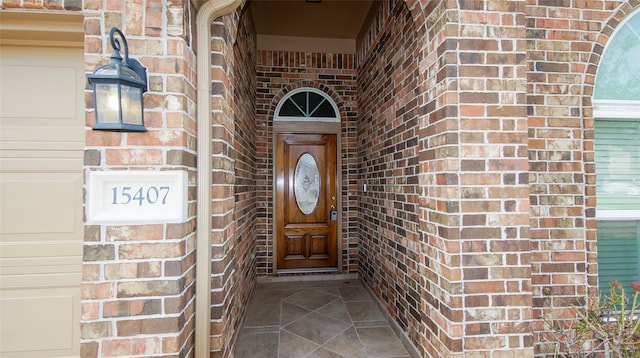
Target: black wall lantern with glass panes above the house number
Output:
[(117, 90)]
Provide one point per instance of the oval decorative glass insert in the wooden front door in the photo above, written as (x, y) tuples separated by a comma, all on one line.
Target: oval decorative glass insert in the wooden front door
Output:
[(307, 183)]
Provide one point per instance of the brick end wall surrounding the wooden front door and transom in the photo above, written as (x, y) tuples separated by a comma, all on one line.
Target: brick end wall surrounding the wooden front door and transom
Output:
[(277, 73)]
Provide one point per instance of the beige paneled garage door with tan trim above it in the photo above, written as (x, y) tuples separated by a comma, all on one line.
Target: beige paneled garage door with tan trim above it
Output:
[(41, 149)]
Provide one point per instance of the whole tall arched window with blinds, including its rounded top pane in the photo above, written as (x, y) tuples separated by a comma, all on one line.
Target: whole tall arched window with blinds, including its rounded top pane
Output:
[(617, 155)]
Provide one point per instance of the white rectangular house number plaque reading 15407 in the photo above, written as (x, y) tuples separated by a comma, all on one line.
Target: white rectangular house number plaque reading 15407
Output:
[(136, 197)]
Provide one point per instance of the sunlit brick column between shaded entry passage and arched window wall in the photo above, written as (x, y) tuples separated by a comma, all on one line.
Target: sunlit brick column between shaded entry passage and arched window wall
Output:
[(475, 202)]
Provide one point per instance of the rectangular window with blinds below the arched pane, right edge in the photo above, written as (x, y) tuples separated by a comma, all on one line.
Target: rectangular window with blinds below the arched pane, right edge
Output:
[(617, 152)]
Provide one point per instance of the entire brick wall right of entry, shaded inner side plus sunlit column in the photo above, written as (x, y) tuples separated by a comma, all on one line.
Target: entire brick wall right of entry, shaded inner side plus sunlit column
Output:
[(470, 245)]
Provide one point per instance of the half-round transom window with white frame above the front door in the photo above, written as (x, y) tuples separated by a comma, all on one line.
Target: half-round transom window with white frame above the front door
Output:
[(307, 104)]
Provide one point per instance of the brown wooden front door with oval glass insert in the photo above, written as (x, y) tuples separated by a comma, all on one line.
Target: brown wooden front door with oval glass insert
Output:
[(306, 206)]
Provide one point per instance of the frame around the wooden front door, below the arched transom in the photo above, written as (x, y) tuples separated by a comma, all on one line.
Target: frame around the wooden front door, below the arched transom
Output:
[(308, 127)]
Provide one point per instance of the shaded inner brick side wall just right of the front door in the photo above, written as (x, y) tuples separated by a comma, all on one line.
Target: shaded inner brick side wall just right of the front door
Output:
[(387, 154)]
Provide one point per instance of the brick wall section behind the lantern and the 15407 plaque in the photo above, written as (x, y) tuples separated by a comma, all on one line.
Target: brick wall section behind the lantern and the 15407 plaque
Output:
[(138, 282)]
